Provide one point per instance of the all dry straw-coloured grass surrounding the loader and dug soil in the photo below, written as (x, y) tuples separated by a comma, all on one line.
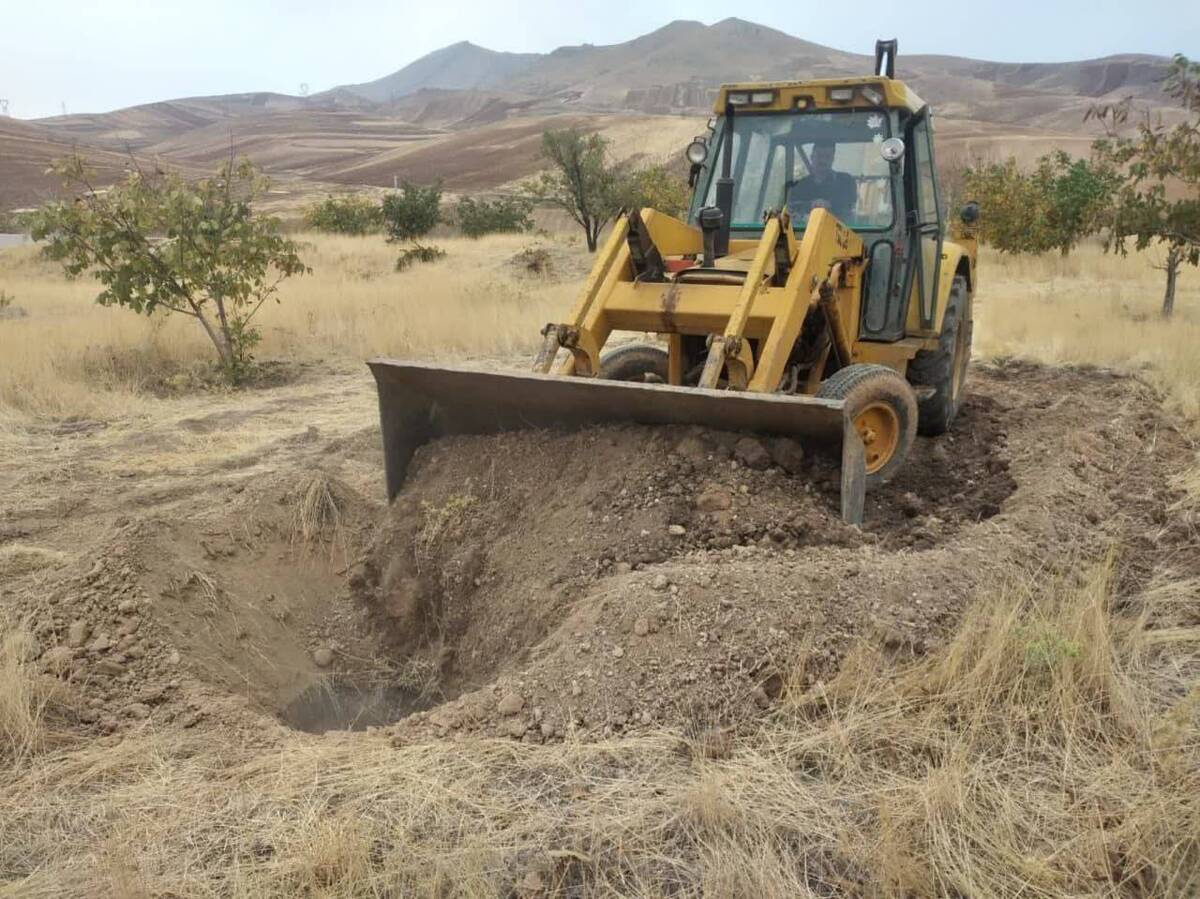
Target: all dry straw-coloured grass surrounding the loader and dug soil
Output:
[(1049, 746)]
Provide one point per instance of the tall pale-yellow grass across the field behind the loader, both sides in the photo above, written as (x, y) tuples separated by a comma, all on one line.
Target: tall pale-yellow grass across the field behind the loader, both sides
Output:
[(70, 357)]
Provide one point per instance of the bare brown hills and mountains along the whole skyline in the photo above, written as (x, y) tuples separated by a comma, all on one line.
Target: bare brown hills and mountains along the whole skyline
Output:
[(472, 116)]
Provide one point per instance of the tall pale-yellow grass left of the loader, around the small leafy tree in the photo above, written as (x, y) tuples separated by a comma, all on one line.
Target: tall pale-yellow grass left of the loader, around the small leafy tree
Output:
[(70, 357)]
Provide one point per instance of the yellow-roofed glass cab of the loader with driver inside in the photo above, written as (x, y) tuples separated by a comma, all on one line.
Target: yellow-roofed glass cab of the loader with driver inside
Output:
[(860, 148)]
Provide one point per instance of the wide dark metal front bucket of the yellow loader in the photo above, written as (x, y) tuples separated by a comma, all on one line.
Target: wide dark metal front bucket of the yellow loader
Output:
[(419, 403)]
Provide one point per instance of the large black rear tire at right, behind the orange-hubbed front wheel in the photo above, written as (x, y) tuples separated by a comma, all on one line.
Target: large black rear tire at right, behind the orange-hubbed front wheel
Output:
[(946, 368)]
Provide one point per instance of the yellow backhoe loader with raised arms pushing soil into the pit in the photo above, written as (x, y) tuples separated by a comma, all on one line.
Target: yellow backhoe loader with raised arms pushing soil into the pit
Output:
[(812, 292)]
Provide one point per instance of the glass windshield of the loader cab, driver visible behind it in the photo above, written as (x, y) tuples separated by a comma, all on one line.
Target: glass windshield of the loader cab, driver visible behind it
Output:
[(805, 161)]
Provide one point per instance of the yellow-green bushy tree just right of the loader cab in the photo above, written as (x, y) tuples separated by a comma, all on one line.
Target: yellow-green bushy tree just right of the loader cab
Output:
[(1053, 207)]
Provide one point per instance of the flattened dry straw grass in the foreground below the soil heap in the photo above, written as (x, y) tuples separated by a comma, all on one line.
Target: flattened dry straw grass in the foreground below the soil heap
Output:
[(1043, 753)]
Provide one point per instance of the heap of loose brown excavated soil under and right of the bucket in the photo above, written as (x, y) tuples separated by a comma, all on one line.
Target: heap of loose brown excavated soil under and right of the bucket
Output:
[(623, 579)]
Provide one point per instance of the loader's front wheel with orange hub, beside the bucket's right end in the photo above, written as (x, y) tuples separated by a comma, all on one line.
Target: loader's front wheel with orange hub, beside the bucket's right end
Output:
[(884, 409)]
